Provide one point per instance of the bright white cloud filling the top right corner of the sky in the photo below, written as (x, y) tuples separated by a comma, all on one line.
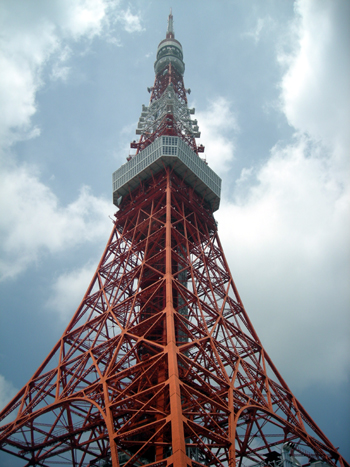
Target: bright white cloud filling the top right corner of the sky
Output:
[(315, 89)]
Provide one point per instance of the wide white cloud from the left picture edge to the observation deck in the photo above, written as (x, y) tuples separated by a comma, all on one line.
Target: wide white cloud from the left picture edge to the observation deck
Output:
[(33, 222)]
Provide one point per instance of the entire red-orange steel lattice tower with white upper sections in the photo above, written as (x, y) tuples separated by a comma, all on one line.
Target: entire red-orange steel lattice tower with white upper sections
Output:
[(160, 365)]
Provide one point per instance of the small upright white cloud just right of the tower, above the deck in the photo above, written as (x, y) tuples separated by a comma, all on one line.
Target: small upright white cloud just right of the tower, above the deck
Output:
[(219, 126)]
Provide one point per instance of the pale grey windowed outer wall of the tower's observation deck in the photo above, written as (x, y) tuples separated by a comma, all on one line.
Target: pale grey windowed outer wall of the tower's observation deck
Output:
[(165, 151)]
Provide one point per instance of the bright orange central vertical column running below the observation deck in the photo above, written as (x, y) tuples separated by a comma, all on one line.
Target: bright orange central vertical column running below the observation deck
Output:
[(177, 430)]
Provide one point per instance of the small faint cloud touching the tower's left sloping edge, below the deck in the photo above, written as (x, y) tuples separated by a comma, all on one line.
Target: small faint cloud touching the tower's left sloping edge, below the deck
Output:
[(68, 290)]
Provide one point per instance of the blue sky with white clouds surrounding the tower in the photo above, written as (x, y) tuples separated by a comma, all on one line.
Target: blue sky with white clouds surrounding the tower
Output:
[(270, 84)]
